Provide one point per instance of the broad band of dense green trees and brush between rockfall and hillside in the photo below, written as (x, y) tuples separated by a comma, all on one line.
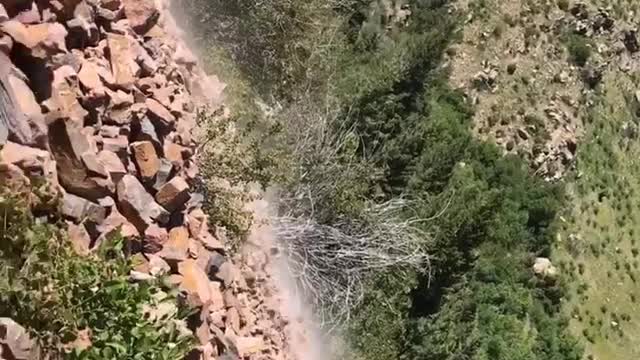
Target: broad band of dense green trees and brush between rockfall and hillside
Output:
[(371, 118)]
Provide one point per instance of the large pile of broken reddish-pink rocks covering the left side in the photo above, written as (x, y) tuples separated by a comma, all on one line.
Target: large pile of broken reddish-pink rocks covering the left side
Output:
[(97, 119)]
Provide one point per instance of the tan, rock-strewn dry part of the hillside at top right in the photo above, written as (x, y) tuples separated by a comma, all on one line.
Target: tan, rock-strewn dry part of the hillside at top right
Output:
[(516, 63)]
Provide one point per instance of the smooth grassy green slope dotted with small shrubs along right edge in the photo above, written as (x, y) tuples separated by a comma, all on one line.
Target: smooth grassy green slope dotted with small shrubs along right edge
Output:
[(597, 243)]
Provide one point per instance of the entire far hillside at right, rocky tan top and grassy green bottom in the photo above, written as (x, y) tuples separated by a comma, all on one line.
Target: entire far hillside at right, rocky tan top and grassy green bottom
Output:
[(555, 82)]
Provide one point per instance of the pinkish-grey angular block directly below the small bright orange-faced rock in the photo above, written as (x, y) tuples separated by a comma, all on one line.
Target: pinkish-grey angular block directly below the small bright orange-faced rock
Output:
[(137, 205)]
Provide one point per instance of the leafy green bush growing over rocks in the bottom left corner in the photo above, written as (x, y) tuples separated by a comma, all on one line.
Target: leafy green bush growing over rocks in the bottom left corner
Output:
[(57, 295)]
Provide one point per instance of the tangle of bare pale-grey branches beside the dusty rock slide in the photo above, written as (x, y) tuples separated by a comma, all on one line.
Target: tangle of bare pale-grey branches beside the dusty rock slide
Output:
[(332, 263)]
